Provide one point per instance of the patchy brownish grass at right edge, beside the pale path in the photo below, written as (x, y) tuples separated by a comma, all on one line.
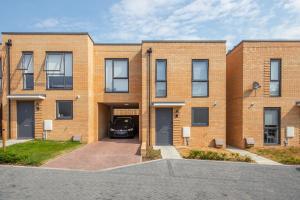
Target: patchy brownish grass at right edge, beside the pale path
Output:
[(284, 155)]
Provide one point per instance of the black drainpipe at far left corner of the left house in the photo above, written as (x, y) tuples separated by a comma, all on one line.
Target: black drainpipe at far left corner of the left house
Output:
[(8, 44)]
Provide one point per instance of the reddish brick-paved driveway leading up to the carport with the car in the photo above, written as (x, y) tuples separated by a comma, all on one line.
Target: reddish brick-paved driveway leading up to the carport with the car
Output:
[(100, 155)]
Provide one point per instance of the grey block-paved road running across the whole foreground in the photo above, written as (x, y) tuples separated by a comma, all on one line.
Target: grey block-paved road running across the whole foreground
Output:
[(164, 179)]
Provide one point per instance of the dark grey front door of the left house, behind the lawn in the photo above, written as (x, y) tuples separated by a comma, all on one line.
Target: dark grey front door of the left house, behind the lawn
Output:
[(25, 119)]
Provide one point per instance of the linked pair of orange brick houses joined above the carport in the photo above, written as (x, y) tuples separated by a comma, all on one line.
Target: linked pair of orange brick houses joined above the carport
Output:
[(80, 85)]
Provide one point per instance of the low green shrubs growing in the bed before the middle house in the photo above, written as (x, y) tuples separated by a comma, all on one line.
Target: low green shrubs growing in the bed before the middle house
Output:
[(211, 155)]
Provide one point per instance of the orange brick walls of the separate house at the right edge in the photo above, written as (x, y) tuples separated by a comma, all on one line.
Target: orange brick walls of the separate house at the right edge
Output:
[(249, 62)]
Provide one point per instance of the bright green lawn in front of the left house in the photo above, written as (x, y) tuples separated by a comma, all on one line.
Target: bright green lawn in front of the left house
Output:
[(35, 152)]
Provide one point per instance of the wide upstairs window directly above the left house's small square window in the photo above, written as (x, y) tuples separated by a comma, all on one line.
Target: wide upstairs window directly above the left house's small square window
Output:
[(59, 67)]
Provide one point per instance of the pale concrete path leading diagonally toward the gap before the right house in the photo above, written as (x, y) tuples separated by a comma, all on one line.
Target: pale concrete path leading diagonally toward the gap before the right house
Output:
[(258, 159)]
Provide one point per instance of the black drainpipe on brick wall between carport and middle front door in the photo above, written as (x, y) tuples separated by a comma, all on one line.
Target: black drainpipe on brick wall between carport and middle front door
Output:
[(149, 51)]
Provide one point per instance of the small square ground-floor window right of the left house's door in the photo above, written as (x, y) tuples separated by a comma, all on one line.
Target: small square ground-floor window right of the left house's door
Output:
[(64, 109)]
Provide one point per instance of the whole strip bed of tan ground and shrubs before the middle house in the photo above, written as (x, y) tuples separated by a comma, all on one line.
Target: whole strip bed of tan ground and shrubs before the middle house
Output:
[(208, 153)]
